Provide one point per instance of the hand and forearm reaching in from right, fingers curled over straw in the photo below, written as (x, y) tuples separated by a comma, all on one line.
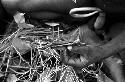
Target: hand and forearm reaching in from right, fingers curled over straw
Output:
[(97, 53)]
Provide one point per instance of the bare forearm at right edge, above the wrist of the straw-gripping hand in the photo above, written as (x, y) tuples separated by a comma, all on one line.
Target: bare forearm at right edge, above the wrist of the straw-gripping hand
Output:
[(115, 45)]
